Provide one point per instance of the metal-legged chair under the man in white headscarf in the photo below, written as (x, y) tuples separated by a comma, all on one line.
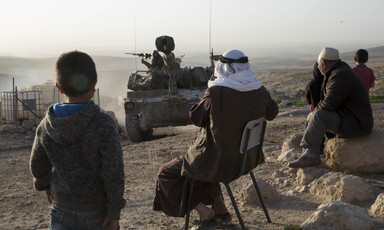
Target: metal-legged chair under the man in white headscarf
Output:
[(253, 136)]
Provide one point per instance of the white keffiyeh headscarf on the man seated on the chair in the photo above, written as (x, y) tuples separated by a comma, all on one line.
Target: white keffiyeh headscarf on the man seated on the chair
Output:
[(238, 76)]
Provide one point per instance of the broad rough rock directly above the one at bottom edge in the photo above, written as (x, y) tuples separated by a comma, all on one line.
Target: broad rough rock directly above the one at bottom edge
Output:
[(342, 187)]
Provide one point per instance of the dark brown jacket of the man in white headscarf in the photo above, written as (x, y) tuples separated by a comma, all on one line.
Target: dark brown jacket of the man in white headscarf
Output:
[(214, 155)]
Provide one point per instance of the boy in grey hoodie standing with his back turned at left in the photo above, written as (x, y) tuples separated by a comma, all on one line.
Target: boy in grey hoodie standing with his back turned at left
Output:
[(76, 155)]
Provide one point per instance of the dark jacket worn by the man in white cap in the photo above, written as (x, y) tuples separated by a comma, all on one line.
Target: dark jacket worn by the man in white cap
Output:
[(343, 92)]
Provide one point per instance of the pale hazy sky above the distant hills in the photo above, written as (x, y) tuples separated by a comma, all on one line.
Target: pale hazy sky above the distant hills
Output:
[(50, 27)]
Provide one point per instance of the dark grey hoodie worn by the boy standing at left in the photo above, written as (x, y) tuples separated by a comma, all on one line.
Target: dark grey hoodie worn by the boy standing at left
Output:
[(78, 159)]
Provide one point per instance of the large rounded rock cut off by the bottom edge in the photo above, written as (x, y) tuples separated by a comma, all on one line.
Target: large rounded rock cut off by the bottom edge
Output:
[(338, 215)]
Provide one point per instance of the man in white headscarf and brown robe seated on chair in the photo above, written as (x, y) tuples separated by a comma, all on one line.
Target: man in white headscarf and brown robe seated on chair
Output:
[(234, 97)]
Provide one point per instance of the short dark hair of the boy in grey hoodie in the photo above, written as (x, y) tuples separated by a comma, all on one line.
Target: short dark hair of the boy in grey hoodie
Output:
[(75, 72)]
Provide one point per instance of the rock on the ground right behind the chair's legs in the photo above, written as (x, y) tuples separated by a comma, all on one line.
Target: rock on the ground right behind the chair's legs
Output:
[(248, 194)]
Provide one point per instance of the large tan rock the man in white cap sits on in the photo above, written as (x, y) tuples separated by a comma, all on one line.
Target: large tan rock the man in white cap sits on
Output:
[(363, 154)]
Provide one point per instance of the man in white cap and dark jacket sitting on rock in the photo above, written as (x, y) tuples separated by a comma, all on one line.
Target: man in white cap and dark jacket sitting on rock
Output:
[(344, 108)]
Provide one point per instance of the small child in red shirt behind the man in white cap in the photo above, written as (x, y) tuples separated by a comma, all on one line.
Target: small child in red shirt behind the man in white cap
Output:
[(364, 72)]
